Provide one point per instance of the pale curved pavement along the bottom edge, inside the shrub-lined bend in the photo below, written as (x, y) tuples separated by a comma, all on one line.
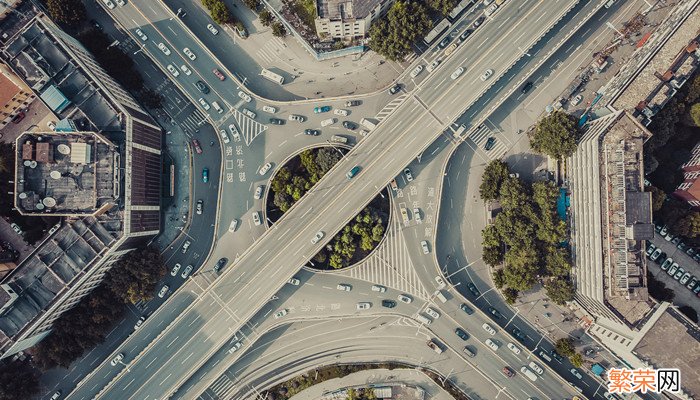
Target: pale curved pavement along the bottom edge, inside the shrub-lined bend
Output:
[(418, 386)]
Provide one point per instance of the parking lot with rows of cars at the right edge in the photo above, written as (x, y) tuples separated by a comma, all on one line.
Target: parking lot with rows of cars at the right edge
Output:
[(675, 259)]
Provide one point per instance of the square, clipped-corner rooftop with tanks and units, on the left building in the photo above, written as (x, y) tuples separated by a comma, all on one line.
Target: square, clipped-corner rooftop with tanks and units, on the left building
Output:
[(66, 173)]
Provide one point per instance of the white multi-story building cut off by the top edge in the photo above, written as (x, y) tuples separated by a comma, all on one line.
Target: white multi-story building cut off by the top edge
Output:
[(348, 19)]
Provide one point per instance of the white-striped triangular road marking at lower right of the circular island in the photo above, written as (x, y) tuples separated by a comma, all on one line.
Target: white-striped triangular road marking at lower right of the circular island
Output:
[(390, 265)]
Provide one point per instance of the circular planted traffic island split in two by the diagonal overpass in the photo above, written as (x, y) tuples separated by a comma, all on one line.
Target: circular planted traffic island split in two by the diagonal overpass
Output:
[(358, 238)]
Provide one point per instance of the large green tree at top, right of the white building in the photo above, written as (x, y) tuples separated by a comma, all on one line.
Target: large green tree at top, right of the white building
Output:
[(393, 35)]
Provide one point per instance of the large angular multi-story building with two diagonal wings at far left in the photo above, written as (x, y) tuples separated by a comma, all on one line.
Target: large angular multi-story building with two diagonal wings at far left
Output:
[(104, 178)]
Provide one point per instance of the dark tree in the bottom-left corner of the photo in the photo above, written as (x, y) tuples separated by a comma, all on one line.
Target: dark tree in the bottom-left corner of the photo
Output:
[(18, 380)]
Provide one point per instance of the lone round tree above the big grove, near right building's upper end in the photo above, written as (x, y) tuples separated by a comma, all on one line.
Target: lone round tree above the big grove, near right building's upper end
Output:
[(556, 135)]
